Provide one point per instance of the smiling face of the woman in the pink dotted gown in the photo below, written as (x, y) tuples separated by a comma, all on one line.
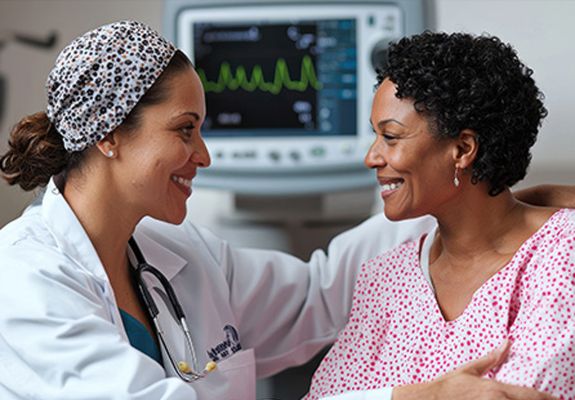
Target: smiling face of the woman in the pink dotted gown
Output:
[(414, 169)]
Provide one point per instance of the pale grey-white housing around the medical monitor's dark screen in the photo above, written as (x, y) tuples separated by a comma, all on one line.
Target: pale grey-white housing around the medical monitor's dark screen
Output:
[(298, 164)]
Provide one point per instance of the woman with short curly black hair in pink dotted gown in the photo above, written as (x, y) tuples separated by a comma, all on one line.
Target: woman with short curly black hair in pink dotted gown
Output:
[(455, 117)]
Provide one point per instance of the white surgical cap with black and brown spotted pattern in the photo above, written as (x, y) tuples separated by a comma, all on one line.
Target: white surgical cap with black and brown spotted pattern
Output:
[(99, 78)]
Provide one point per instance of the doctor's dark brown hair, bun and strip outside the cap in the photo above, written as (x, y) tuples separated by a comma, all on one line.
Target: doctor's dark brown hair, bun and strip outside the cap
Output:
[(36, 150)]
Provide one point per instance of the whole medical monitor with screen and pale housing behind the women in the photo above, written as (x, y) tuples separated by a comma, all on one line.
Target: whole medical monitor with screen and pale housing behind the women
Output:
[(288, 89)]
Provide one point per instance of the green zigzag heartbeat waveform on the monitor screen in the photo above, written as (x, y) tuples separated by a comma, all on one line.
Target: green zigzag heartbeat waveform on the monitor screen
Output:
[(227, 80)]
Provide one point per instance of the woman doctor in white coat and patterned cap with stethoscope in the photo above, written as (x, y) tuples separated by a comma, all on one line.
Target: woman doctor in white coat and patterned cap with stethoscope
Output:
[(119, 143)]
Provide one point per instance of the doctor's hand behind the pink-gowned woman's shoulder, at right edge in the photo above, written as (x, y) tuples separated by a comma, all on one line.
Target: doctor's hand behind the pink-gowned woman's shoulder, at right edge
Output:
[(562, 196)]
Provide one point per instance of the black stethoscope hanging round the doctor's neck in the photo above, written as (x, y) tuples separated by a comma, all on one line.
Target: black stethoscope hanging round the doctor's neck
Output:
[(187, 372)]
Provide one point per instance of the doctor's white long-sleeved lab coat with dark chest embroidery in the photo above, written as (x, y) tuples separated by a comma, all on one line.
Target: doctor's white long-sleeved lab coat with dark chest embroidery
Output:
[(61, 335)]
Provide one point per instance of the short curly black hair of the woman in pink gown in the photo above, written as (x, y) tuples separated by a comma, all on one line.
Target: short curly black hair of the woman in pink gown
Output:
[(459, 81)]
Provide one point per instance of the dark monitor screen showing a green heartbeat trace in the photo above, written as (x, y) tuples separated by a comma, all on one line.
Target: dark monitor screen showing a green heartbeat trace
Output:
[(278, 78)]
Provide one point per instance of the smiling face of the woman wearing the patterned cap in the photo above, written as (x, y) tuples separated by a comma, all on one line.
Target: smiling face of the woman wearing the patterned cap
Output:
[(157, 162)]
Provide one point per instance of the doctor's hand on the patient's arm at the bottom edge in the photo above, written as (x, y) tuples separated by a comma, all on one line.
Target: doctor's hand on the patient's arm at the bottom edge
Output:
[(467, 383)]
